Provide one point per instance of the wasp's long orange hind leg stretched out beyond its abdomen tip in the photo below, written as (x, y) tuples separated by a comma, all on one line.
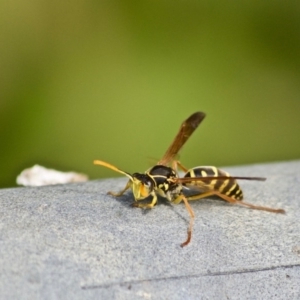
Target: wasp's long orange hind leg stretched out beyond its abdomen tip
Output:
[(234, 201)]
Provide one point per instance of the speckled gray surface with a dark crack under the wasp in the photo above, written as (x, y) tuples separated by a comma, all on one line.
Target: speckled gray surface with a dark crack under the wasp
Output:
[(73, 241)]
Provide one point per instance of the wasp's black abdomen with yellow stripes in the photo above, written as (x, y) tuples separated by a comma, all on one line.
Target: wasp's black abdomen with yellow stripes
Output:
[(227, 187)]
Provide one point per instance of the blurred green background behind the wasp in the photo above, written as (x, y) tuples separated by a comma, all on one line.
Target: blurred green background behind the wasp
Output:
[(113, 80)]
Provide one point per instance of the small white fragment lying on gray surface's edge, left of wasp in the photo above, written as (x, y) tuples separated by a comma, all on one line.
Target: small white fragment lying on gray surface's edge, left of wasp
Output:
[(38, 176)]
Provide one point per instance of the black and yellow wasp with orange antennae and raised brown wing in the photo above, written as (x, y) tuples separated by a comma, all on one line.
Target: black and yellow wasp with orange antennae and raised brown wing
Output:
[(163, 179)]
